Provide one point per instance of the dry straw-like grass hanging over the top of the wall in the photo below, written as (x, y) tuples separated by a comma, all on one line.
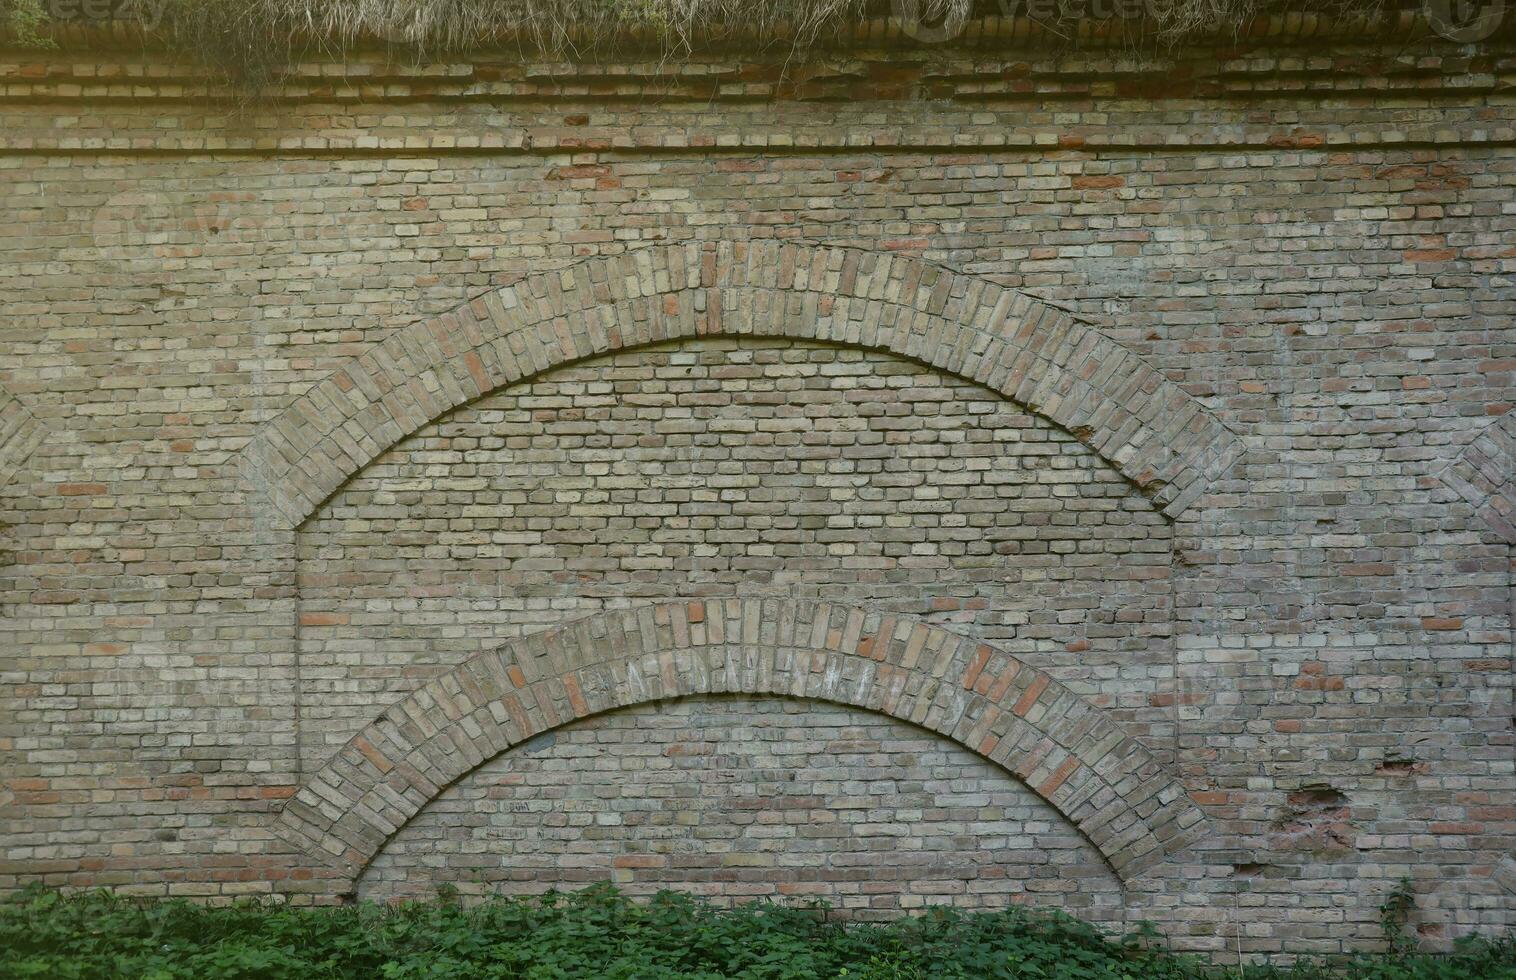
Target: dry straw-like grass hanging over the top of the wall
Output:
[(251, 39)]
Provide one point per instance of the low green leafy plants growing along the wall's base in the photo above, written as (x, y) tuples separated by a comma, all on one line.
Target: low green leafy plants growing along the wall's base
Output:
[(603, 935)]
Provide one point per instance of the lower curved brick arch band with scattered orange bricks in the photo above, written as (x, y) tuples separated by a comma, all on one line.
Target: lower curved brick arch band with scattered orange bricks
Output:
[(1067, 750)]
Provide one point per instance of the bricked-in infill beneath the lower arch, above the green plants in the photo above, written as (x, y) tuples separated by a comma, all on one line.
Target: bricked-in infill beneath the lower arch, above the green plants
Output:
[(750, 797)]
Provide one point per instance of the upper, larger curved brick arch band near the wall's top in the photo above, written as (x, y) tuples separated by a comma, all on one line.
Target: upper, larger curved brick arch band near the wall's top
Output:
[(1147, 427)]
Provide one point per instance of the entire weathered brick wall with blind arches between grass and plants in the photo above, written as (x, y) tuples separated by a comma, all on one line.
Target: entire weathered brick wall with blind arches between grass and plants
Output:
[(1076, 479)]
